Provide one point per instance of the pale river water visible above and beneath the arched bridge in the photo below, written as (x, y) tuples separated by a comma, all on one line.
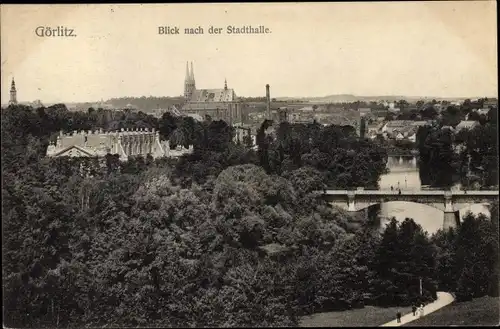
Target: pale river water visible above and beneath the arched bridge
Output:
[(431, 219)]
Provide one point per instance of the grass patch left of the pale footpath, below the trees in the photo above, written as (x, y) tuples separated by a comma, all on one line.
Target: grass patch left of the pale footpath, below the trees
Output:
[(367, 316)]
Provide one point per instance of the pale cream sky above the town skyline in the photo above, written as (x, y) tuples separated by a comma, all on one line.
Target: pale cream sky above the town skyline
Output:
[(440, 49)]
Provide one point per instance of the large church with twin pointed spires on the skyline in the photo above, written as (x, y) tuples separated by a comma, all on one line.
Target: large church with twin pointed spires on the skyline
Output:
[(218, 104)]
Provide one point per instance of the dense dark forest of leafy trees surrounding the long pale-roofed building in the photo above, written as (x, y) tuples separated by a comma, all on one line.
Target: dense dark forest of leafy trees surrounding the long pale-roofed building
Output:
[(226, 236)]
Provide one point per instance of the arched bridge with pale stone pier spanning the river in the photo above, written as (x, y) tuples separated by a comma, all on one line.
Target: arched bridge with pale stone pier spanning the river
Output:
[(447, 201)]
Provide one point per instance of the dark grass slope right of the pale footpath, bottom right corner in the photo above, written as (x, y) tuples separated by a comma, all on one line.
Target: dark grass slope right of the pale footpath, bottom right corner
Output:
[(478, 312)]
